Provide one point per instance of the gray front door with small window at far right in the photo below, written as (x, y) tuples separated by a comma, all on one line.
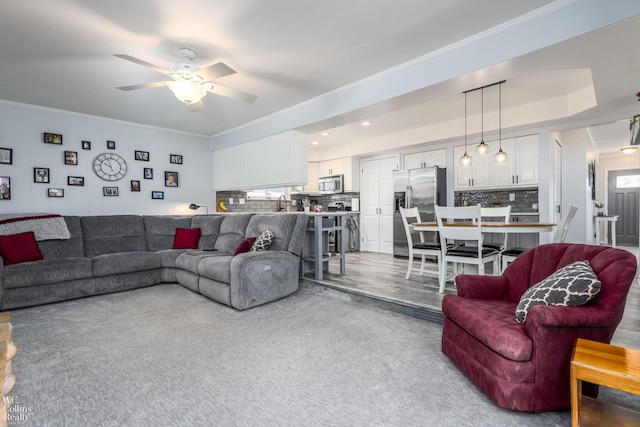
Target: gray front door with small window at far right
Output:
[(624, 196)]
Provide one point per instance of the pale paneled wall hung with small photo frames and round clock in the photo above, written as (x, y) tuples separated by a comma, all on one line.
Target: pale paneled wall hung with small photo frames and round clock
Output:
[(22, 128)]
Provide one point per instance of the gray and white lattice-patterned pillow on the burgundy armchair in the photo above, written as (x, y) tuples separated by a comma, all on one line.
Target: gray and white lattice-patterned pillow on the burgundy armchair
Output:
[(573, 285)]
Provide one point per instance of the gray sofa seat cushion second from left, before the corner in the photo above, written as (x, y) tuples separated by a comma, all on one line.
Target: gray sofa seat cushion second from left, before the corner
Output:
[(125, 262)]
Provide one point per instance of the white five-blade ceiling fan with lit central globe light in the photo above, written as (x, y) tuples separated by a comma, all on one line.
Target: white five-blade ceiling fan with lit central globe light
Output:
[(190, 83)]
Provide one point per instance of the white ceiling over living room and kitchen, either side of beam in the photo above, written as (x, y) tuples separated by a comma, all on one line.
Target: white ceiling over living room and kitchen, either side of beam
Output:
[(60, 55)]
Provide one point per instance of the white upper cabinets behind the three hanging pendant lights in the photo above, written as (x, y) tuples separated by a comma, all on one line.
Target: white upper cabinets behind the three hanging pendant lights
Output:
[(520, 169)]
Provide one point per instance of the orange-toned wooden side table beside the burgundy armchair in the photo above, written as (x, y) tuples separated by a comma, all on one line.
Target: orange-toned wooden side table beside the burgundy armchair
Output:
[(609, 366)]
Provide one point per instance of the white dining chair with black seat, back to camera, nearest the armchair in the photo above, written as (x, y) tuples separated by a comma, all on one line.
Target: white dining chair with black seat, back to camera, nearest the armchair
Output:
[(472, 250)]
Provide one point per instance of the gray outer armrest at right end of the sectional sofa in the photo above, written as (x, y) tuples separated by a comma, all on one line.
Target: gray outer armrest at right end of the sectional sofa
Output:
[(263, 276)]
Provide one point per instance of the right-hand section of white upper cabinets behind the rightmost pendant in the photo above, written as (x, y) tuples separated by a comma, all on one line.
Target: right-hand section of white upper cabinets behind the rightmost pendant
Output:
[(521, 167)]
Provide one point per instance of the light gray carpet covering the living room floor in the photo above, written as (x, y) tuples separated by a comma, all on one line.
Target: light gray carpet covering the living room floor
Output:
[(164, 355)]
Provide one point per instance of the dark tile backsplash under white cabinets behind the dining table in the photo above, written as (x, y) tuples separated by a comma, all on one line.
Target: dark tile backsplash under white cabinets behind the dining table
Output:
[(524, 200)]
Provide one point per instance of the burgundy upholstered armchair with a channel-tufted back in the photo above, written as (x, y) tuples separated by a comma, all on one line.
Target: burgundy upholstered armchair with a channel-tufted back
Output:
[(525, 367)]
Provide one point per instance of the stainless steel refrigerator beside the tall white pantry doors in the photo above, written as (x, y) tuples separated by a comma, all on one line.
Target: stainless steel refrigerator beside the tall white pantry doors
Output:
[(421, 188)]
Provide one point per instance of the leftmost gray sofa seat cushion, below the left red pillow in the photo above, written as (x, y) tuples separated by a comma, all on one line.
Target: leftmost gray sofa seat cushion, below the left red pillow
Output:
[(46, 272)]
